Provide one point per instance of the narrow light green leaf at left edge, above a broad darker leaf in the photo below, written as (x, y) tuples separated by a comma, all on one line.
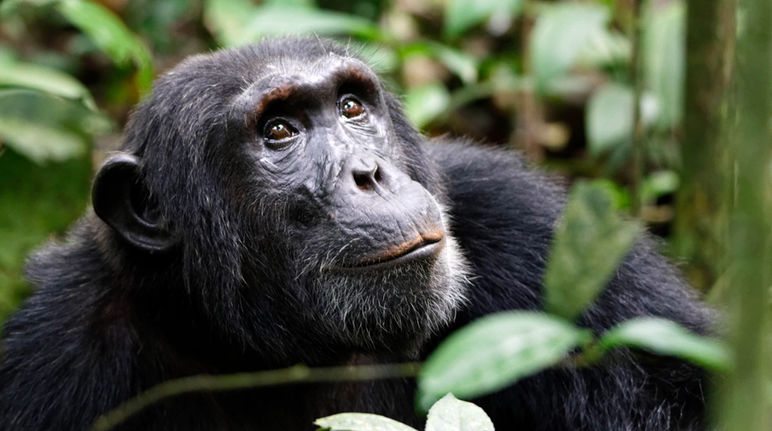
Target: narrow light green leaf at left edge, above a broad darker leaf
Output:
[(18, 74)]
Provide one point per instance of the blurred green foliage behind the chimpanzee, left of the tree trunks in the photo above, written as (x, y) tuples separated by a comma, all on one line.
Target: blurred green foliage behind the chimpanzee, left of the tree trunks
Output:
[(552, 79)]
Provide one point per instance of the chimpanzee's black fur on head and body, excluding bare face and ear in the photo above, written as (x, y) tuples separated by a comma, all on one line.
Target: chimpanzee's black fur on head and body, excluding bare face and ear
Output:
[(224, 293)]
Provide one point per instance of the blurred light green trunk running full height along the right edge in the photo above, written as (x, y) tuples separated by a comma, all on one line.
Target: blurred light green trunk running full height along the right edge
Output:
[(745, 397)]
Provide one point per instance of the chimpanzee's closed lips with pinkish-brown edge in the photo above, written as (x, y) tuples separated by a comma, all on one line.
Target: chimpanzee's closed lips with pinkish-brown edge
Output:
[(422, 246)]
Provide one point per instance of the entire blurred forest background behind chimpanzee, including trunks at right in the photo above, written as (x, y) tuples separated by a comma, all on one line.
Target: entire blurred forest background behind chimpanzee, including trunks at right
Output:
[(666, 103)]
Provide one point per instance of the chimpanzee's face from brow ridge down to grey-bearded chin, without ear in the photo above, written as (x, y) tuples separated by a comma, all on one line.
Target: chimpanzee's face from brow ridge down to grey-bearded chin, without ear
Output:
[(362, 240)]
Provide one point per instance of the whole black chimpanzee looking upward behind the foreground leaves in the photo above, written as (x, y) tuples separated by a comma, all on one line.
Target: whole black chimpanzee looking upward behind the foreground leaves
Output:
[(271, 205)]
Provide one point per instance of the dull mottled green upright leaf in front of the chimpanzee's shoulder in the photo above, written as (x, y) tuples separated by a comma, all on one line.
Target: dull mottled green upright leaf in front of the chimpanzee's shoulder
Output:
[(590, 242)]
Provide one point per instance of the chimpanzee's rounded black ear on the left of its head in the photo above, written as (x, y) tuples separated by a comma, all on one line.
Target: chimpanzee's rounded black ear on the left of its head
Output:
[(121, 200)]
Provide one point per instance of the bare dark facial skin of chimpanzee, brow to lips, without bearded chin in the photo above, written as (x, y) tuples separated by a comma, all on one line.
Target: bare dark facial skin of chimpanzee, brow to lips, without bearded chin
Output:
[(323, 140)]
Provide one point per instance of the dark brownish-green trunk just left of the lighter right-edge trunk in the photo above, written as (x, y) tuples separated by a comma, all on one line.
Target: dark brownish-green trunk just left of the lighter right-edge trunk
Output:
[(709, 52)]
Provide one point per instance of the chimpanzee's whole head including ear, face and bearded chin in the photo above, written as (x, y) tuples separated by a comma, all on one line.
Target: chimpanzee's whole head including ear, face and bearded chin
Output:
[(292, 193)]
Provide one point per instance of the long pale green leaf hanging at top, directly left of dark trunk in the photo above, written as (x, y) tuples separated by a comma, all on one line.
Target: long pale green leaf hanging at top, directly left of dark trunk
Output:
[(664, 50)]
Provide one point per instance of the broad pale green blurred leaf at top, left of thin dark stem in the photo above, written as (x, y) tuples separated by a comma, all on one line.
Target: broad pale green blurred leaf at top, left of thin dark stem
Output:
[(561, 34)]
